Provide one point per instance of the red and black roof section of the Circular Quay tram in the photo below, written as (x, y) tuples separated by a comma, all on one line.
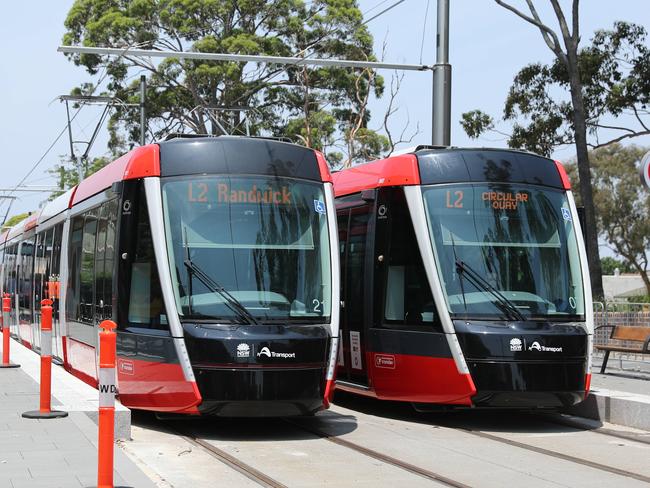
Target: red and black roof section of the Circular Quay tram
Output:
[(435, 164)]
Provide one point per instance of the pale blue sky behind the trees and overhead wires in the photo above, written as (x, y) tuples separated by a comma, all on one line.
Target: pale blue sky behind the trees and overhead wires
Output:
[(488, 46)]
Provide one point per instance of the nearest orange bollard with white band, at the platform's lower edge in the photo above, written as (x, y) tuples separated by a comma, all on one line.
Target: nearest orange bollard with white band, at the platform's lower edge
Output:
[(107, 392)]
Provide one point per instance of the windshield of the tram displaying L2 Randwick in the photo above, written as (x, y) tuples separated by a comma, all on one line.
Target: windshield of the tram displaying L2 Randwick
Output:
[(248, 249)]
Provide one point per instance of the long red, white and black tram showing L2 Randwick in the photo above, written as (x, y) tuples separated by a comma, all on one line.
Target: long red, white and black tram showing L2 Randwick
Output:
[(216, 257)]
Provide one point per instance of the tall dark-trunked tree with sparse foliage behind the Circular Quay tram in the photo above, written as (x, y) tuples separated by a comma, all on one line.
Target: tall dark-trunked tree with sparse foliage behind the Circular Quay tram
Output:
[(608, 78)]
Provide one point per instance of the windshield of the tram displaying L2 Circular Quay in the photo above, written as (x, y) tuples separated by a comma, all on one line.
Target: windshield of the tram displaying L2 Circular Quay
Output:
[(507, 251)]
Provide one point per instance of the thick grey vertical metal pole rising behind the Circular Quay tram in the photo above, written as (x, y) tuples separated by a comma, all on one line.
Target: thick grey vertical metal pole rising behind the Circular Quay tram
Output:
[(441, 122)]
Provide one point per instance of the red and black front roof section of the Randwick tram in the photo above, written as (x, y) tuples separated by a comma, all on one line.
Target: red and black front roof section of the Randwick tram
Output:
[(199, 155)]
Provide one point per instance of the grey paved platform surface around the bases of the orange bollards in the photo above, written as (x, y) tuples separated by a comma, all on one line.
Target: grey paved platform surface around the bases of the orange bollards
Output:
[(53, 453)]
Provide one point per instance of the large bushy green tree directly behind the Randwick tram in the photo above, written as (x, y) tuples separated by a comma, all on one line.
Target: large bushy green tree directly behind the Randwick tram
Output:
[(311, 104)]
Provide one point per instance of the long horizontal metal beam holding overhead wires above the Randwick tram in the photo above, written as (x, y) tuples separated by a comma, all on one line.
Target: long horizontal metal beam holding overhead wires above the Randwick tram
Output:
[(343, 63)]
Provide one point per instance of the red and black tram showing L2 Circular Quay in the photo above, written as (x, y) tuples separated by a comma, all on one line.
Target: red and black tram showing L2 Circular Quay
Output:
[(464, 281)]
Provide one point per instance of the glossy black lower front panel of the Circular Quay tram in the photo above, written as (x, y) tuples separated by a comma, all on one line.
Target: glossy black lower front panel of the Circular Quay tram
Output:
[(525, 364)]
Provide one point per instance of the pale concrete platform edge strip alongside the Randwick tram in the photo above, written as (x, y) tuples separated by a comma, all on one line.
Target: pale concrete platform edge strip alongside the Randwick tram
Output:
[(69, 393)]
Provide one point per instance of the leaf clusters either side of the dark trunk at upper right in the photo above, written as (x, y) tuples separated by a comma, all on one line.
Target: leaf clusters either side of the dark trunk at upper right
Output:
[(615, 76)]
